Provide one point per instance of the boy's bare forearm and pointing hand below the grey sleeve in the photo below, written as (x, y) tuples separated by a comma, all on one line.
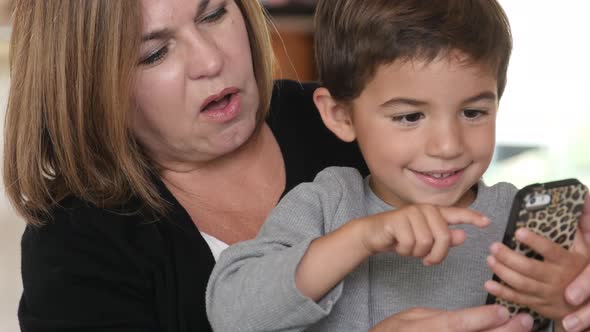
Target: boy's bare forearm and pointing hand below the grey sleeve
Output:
[(415, 230)]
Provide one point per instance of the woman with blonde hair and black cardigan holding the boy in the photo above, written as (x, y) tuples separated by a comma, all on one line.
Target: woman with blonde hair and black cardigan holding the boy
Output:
[(138, 145)]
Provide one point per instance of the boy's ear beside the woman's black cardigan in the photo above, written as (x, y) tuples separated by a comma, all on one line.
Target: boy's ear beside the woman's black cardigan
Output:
[(335, 116)]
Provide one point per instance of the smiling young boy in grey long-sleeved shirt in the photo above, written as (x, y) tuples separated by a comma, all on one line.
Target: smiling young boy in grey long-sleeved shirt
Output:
[(416, 84)]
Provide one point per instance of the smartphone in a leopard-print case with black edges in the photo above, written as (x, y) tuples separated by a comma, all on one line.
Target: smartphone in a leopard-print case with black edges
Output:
[(550, 209)]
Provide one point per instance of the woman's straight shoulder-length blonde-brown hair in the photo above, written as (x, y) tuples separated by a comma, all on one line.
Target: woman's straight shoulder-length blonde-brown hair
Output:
[(72, 64)]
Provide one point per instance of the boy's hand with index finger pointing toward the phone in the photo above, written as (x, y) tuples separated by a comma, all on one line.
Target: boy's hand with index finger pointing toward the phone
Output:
[(419, 231)]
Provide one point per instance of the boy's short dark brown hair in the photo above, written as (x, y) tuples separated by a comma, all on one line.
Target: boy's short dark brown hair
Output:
[(354, 37)]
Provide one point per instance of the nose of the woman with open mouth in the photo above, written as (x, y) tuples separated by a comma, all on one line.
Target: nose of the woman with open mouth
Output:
[(204, 58)]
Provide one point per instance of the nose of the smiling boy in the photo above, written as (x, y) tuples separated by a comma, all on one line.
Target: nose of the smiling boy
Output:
[(445, 141)]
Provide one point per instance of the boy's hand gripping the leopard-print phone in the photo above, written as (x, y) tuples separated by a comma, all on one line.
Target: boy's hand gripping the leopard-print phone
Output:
[(540, 285)]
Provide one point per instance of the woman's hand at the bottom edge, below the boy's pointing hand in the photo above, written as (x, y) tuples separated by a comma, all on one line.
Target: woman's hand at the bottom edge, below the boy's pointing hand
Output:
[(491, 318)]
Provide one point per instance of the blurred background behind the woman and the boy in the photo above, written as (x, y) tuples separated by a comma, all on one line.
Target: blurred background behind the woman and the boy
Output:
[(543, 123)]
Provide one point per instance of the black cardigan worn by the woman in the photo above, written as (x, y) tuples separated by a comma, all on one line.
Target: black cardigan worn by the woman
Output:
[(91, 269)]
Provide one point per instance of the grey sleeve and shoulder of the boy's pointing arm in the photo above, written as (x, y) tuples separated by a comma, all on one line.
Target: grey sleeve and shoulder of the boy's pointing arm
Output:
[(252, 286)]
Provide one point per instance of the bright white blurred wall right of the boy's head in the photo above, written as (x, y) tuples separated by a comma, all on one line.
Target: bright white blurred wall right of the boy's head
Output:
[(547, 102)]
